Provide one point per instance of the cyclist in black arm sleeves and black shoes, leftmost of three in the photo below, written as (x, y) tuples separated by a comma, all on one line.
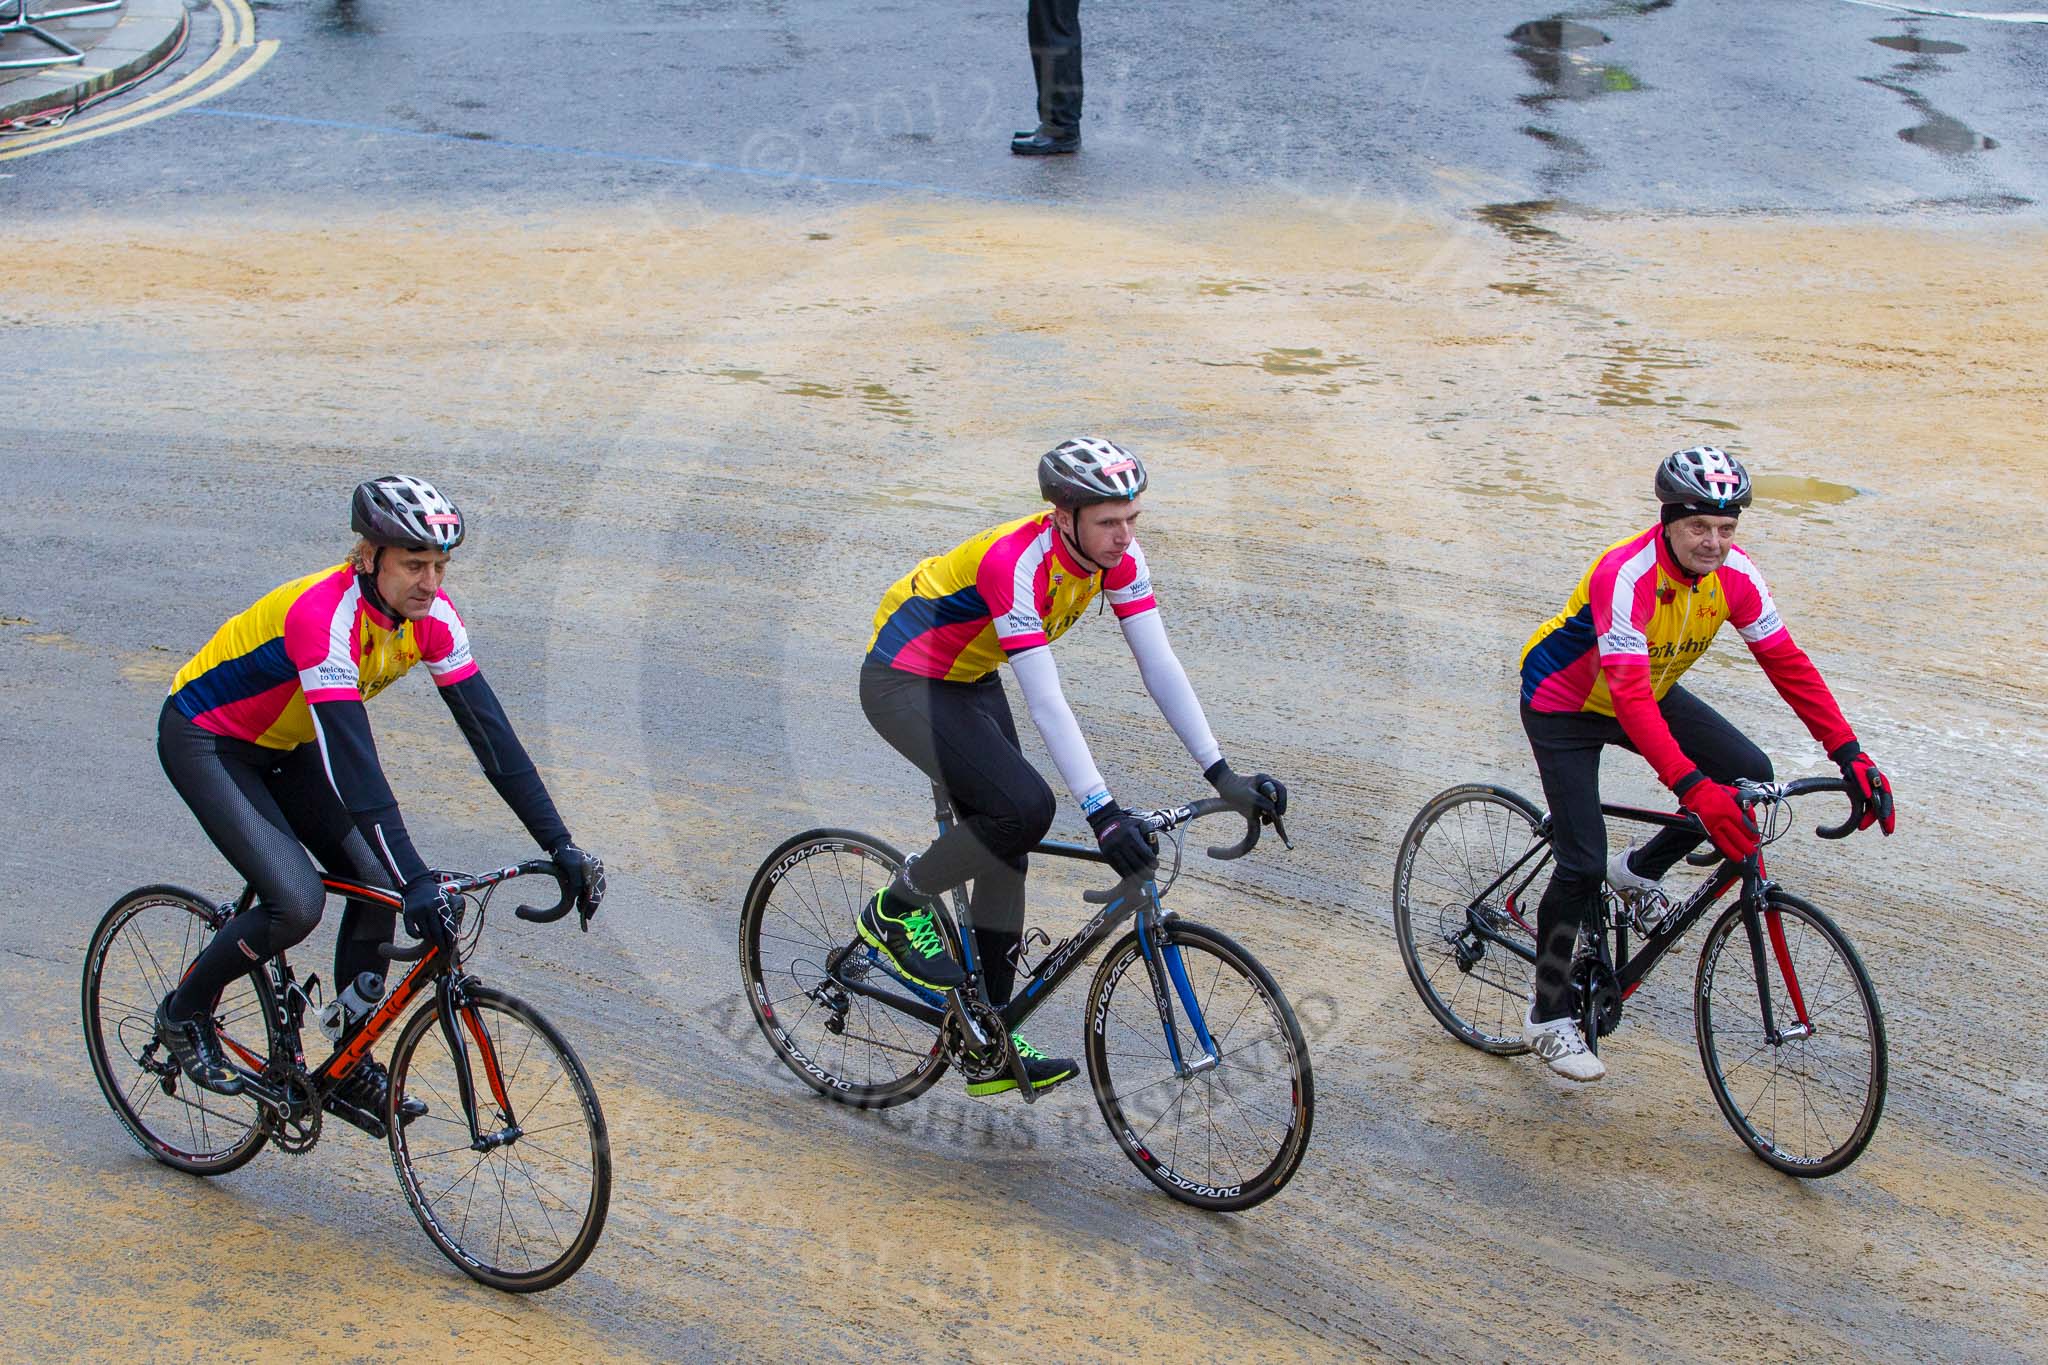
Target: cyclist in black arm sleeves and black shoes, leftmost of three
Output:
[(267, 740)]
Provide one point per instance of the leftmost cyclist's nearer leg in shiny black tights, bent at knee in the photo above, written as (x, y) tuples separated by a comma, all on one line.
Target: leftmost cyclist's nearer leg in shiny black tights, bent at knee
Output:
[(226, 785)]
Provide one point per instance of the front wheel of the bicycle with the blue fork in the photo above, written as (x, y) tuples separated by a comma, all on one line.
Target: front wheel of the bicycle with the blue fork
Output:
[(1224, 1139)]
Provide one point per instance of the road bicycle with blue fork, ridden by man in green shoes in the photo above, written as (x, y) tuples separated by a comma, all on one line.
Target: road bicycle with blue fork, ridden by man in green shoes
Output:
[(1193, 1051)]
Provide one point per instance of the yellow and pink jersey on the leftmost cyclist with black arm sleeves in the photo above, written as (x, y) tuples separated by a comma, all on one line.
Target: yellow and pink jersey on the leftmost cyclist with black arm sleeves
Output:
[(314, 640)]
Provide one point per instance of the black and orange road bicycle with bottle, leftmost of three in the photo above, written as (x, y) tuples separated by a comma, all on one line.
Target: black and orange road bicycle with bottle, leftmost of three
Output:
[(511, 1182)]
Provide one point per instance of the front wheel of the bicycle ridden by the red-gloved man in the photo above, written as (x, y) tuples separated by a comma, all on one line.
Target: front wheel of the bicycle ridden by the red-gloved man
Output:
[(1809, 1104)]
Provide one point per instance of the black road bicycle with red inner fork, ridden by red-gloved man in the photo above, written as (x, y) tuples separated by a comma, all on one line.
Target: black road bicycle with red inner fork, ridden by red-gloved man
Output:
[(1787, 1020)]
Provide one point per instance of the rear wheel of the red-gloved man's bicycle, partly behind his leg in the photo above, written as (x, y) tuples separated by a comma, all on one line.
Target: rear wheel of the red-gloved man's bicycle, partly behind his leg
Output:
[(1457, 848)]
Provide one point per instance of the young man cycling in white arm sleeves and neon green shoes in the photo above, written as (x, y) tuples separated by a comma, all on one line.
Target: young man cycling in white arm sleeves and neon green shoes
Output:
[(931, 689)]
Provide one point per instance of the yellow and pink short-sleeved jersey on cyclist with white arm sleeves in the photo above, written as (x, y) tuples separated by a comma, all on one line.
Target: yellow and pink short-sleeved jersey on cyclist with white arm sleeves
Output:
[(1015, 586)]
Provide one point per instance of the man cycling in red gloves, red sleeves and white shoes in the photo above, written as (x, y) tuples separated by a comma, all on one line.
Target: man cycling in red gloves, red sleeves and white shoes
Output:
[(1605, 672)]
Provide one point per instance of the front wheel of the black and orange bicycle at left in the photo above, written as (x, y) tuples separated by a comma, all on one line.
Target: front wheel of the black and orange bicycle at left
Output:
[(527, 1213)]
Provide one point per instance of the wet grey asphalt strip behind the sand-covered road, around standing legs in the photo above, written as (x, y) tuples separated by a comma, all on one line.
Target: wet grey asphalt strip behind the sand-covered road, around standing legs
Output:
[(1658, 105)]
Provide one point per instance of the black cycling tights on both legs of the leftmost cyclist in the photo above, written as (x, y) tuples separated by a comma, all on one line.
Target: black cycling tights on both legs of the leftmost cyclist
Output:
[(265, 809)]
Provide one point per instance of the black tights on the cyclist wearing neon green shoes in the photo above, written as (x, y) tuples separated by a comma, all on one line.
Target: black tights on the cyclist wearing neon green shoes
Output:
[(962, 736)]
